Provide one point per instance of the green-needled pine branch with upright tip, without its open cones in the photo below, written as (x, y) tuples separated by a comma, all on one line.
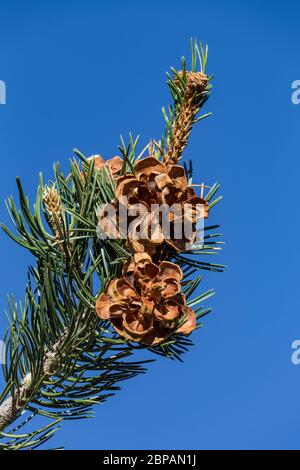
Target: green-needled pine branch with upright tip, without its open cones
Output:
[(61, 357)]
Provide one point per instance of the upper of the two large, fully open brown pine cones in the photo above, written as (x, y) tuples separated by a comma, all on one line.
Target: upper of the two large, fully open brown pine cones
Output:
[(155, 183)]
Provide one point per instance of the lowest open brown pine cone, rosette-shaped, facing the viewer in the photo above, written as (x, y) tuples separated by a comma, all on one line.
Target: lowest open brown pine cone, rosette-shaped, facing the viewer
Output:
[(146, 305)]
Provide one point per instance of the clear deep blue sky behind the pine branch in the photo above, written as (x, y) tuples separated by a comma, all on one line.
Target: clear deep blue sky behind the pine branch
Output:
[(80, 73)]
